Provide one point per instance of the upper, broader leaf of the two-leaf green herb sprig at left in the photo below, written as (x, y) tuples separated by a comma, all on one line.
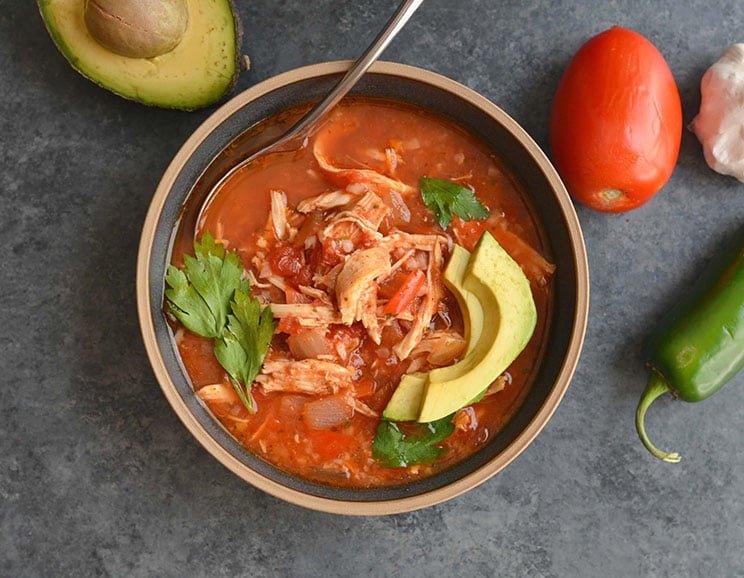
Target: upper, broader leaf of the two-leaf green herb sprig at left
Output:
[(199, 295)]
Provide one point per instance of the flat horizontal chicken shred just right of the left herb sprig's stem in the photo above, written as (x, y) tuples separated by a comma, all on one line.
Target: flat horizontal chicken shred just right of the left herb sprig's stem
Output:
[(309, 376)]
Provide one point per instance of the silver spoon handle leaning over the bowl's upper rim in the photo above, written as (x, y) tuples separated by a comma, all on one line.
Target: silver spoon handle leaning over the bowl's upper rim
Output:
[(357, 70)]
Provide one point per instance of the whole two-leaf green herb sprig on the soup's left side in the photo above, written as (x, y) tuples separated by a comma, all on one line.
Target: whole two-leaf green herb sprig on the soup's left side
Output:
[(211, 299)]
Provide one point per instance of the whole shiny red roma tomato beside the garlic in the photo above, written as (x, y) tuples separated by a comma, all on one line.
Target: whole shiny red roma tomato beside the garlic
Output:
[(616, 122)]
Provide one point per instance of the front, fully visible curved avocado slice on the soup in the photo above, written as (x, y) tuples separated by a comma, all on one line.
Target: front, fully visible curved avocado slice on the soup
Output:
[(504, 293)]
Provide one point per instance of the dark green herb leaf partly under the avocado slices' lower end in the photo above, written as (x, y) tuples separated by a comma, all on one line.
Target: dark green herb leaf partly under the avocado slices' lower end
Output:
[(394, 449)]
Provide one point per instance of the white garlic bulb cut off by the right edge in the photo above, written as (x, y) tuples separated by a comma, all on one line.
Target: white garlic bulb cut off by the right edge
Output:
[(720, 123)]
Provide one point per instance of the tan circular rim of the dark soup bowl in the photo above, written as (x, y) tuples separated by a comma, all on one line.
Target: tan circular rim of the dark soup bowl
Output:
[(399, 505)]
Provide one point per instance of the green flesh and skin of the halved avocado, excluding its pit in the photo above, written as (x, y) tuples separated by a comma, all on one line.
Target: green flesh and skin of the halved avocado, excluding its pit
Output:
[(199, 71)]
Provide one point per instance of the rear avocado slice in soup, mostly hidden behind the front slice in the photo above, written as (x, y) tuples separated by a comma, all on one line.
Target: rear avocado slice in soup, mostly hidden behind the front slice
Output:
[(405, 403)]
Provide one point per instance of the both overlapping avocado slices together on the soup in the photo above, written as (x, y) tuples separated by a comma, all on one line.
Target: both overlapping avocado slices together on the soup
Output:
[(491, 283)]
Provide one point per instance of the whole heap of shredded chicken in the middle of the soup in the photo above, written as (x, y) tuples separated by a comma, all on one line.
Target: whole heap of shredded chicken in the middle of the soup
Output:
[(358, 252)]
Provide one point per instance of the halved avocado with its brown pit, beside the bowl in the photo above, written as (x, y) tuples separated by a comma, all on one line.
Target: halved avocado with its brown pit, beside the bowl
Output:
[(197, 64)]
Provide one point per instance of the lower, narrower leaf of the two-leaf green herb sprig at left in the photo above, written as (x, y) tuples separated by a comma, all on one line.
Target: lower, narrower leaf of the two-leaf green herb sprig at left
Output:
[(242, 346)]
